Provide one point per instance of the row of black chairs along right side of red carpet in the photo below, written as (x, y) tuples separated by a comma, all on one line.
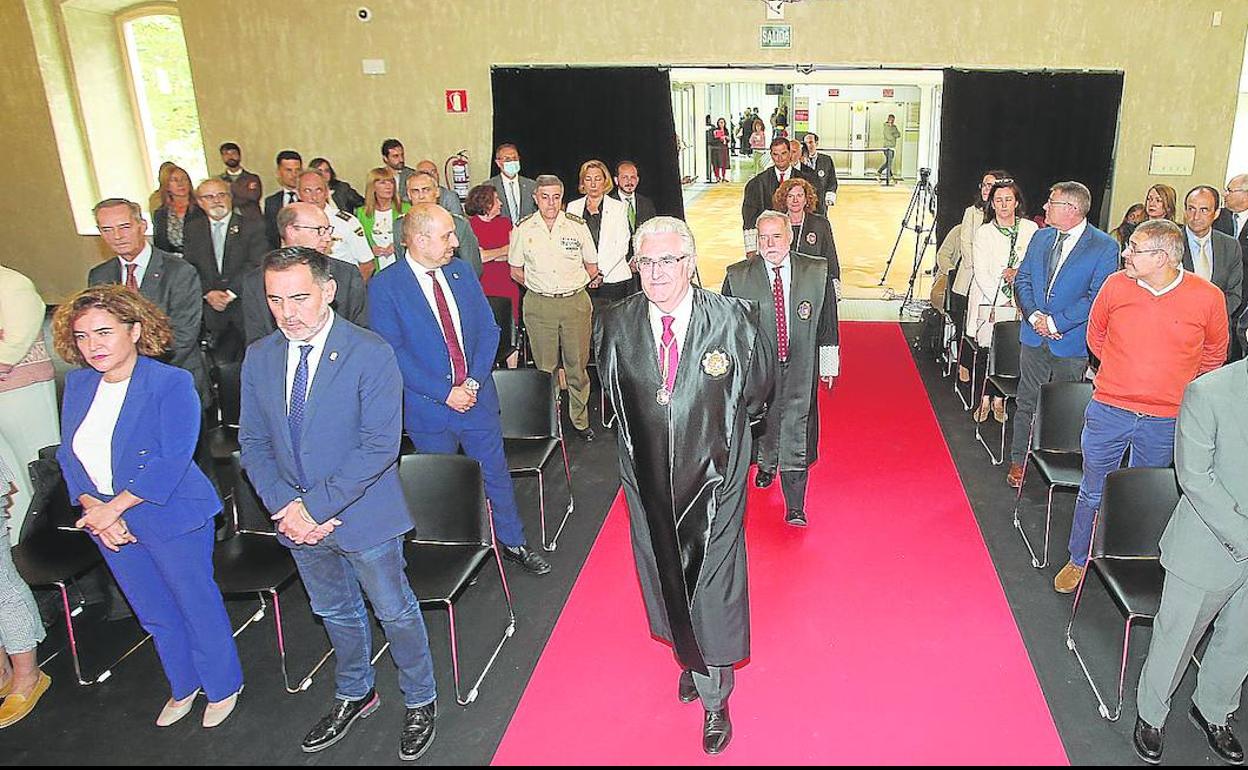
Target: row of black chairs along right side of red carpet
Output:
[(1135, 509)]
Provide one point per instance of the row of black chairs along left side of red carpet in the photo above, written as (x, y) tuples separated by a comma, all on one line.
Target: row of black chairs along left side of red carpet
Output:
[(451, 542)]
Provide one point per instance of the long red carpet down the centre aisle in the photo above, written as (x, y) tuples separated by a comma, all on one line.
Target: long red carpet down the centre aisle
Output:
[(882, 635)]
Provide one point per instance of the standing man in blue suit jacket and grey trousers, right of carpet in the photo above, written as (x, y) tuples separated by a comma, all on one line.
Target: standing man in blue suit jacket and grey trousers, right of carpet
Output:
[(1059, 279)]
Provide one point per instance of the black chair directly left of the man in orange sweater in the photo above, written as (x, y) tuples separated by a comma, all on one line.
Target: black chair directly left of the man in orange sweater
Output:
[(1054, 449)]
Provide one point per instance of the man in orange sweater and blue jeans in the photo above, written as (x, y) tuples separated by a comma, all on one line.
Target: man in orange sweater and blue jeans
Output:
[(1155, 328)]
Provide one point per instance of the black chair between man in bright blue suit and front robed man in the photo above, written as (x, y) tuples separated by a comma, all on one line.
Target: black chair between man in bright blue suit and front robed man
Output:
[(532, 434)]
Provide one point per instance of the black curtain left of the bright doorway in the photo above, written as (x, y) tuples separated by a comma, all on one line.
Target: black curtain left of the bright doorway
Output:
[(562, 118)]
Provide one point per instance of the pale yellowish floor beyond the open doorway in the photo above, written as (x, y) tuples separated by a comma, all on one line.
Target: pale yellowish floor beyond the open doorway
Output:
[(865, 223)]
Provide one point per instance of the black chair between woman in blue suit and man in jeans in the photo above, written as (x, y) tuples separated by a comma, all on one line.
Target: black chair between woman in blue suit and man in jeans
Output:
[(251, 561)]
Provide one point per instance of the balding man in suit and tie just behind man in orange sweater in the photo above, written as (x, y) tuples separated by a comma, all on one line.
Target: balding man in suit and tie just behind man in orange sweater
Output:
[(1212, 255)]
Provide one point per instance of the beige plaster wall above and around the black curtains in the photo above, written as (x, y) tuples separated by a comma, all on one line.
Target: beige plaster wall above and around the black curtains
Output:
[(273, 76)]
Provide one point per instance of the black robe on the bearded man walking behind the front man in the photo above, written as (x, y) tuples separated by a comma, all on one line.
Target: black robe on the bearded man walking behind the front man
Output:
[(791, 435)]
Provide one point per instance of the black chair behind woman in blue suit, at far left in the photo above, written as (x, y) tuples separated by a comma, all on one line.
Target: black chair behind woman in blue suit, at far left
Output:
[(52, 553)]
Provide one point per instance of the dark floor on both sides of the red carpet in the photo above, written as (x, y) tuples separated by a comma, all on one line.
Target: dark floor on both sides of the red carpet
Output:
[(113, 723)]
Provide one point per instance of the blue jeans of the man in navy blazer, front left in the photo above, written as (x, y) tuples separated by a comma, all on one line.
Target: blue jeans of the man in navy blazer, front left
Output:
[(334, 578)]
